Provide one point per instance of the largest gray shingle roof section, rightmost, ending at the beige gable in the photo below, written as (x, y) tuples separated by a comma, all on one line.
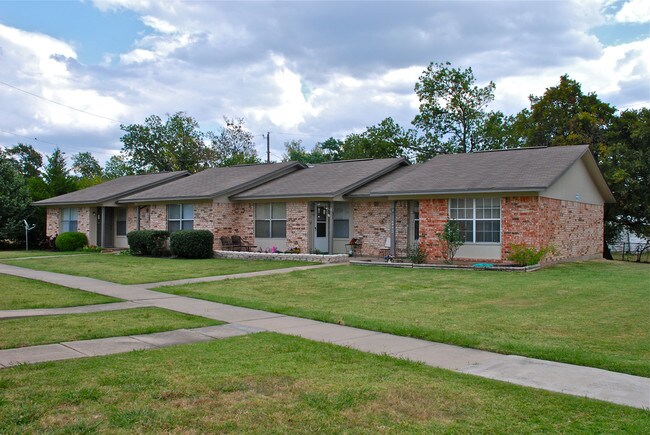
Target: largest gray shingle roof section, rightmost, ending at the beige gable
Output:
[(525, 169)]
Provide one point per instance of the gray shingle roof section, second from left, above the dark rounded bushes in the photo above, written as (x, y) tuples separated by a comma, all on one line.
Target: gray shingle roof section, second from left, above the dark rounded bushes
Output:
[(214, 182)]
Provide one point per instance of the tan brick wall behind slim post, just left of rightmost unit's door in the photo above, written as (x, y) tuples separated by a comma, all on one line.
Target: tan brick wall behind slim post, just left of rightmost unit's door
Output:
[(371, 222)]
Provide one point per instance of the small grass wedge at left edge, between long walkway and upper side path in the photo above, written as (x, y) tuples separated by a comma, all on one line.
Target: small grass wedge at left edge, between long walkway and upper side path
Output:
[(20, 293)]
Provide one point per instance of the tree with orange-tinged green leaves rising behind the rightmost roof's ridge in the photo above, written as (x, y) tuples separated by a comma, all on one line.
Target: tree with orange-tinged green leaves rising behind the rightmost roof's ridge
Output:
[(564, 115)]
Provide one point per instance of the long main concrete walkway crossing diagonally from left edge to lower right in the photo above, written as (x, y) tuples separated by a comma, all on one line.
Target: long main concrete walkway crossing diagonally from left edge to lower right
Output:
[(583, 381)]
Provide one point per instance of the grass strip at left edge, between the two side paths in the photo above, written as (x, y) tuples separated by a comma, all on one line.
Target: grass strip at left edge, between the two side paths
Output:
[(31, 331)]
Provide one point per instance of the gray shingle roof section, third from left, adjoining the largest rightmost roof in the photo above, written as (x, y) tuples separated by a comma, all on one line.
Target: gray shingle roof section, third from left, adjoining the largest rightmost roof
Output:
[(324, 180)]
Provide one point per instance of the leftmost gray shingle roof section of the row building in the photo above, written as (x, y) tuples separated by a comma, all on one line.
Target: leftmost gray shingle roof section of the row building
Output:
[(113, 189)]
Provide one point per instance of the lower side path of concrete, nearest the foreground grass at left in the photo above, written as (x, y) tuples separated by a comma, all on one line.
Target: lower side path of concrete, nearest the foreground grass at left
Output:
[(112, 345)]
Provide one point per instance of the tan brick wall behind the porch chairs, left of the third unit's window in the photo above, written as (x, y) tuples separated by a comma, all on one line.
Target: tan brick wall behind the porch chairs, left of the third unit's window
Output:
[(232, 219)]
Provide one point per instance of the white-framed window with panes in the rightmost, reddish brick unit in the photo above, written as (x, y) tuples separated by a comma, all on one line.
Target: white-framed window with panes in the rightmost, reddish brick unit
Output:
[(479, 220)]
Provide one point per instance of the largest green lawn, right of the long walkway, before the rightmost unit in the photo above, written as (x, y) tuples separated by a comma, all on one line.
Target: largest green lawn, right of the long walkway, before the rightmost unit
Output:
[(591, 313)]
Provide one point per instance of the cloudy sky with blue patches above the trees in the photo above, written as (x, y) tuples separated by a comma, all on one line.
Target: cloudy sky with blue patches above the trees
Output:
[(72, 72)]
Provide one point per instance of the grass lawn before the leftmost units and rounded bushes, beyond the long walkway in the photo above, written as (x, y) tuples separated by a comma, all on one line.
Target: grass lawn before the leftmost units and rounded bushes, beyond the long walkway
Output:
[(127, 269)]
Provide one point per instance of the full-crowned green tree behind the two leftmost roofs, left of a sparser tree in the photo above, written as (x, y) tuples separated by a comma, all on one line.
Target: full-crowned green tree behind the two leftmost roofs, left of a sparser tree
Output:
[(175, 145)]
